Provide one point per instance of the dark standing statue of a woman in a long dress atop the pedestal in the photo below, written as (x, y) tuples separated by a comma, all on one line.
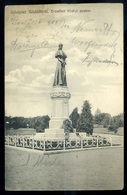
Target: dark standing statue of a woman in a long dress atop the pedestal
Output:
[(60, 74)]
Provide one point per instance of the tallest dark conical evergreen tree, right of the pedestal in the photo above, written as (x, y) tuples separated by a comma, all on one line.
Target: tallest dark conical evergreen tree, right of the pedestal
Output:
[(85, 121)]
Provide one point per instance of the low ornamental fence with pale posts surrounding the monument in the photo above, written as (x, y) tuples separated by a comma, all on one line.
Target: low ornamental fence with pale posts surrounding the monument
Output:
[(63, 144)]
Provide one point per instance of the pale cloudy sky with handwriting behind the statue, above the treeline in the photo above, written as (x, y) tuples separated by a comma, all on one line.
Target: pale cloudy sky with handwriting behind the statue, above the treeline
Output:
[(93, 43)]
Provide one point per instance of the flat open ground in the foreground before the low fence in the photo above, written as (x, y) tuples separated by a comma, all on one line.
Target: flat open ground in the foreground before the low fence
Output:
[(100, 169)]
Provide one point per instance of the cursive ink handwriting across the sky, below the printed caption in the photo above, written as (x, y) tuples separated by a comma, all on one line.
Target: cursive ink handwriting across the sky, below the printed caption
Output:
[(98, 42)]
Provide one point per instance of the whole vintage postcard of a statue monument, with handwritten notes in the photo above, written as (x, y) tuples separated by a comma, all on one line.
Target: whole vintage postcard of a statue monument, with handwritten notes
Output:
[(64, 61)]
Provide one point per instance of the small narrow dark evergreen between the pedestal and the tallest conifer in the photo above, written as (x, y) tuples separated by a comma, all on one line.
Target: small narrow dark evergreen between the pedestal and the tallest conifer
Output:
[(74, 116)]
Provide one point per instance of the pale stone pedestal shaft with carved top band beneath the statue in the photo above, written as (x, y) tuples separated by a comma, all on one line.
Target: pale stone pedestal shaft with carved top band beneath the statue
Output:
[(60, 106)]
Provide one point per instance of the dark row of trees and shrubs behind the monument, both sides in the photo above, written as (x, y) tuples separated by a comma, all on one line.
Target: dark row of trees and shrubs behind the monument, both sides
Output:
[(82, 122)]
